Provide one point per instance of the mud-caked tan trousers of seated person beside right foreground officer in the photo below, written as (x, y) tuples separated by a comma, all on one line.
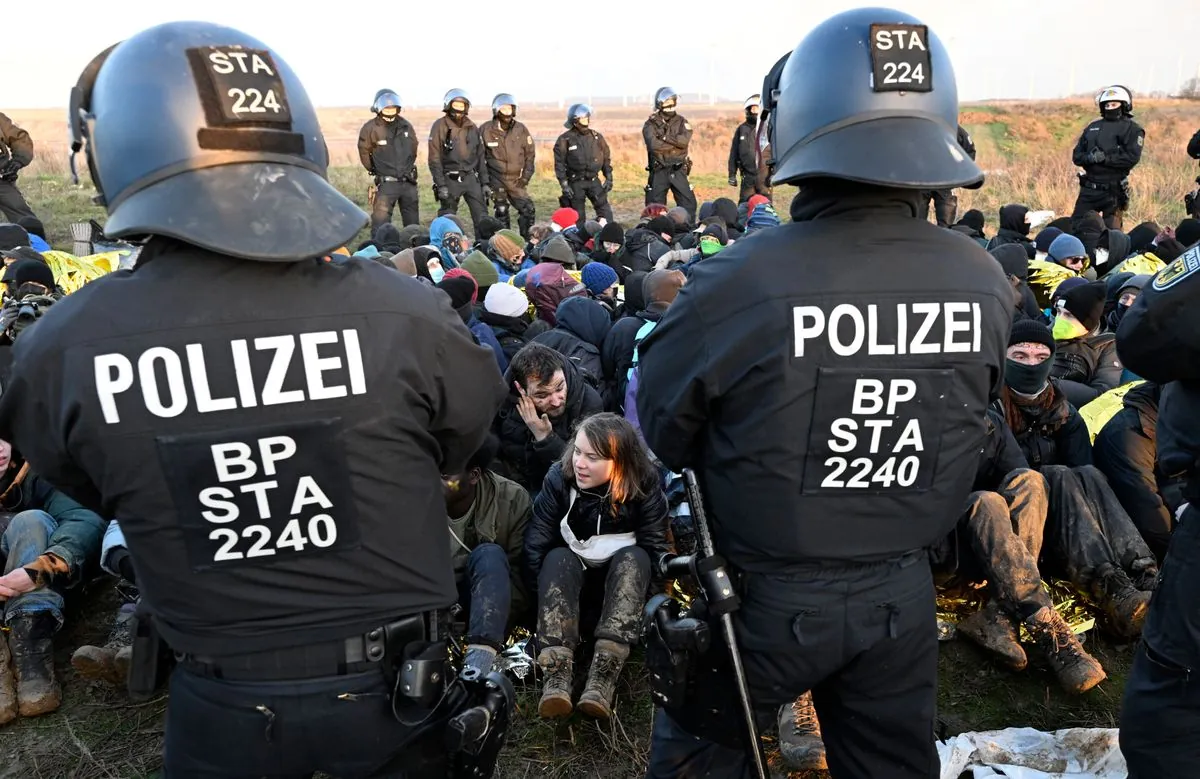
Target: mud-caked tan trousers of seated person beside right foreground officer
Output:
[(998, 536)]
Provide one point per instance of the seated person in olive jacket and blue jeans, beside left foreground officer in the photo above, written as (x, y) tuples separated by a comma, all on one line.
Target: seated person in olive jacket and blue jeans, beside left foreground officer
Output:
[(488, 517)]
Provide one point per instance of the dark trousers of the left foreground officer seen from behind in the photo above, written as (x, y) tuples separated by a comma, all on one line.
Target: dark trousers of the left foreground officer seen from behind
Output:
[(341, 726)]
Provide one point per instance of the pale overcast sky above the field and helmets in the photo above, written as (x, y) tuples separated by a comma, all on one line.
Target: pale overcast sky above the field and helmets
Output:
[(547, 50)]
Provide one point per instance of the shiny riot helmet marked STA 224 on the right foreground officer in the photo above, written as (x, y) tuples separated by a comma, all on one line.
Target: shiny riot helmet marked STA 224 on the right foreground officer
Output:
[(871, 97)]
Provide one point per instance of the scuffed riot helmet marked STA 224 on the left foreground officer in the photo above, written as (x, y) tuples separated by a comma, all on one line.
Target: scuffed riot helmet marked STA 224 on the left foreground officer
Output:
[(235, 160)]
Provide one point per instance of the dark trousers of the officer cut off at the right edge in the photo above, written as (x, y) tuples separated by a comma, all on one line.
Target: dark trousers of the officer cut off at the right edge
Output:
[(1161, 712)]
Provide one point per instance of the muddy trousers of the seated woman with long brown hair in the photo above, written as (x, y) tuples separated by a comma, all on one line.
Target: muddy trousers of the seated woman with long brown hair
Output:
[(561, 589)]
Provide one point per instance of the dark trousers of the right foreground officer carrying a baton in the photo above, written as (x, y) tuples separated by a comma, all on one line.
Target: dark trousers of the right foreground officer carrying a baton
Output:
[(863, 639)]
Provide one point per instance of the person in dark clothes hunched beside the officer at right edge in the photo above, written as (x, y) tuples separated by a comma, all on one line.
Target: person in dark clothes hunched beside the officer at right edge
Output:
[(1126, 453)]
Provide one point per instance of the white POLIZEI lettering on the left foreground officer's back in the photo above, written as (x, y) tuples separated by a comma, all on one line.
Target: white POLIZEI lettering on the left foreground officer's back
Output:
[(173, 381)]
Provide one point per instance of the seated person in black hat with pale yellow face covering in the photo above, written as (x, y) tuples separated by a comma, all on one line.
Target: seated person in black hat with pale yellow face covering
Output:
[(1087, 364)]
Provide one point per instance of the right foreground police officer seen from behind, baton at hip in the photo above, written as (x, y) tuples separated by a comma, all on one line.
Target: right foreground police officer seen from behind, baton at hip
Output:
[(829, 381)]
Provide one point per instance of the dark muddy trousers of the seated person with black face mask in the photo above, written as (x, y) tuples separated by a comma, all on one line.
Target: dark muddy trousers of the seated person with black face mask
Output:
[(1088, 528)]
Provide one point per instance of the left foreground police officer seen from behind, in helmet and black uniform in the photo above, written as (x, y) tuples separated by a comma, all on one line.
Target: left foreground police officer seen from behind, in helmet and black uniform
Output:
[(274, 459)]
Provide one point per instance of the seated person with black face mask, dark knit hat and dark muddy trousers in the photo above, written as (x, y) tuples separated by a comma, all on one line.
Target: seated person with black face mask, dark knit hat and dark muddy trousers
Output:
[(1089, 537)]
